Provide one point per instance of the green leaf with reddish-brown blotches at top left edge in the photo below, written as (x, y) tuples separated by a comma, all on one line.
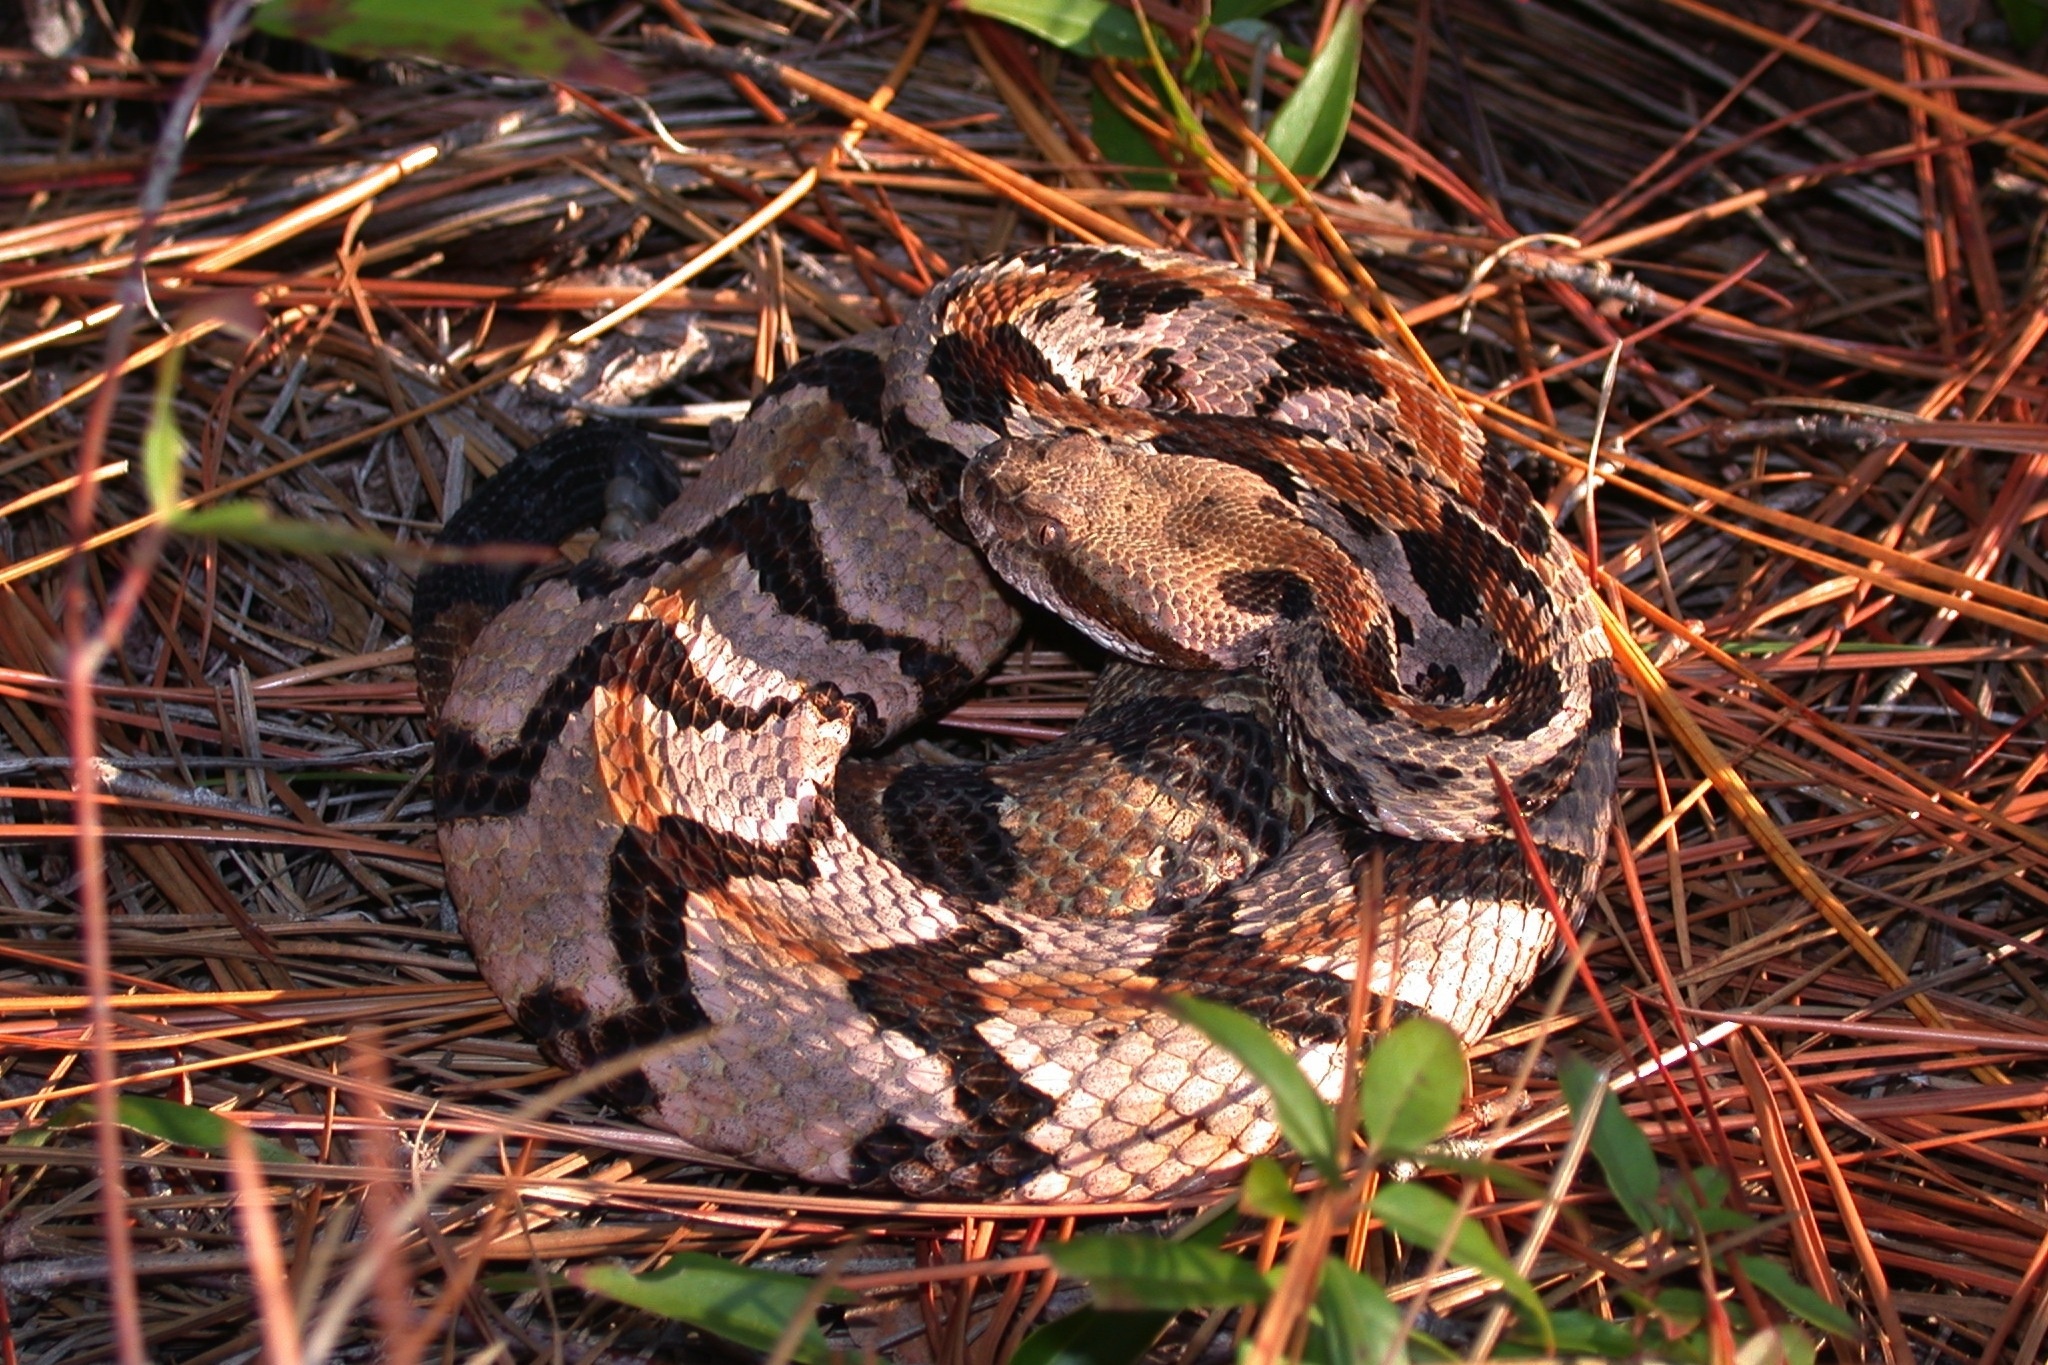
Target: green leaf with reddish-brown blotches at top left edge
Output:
[(499, 36)]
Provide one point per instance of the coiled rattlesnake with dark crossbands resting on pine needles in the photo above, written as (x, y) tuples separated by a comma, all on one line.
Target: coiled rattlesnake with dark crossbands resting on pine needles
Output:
[(675, 824)]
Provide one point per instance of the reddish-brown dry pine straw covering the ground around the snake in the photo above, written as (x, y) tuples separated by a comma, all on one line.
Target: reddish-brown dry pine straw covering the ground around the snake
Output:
[(1820, 521)]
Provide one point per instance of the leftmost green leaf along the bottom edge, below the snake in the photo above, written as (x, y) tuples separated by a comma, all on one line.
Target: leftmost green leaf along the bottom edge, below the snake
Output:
[(736, 1303)]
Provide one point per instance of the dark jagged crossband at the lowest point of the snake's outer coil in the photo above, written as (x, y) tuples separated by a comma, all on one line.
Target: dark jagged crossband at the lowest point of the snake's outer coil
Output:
[(923, 994)]
